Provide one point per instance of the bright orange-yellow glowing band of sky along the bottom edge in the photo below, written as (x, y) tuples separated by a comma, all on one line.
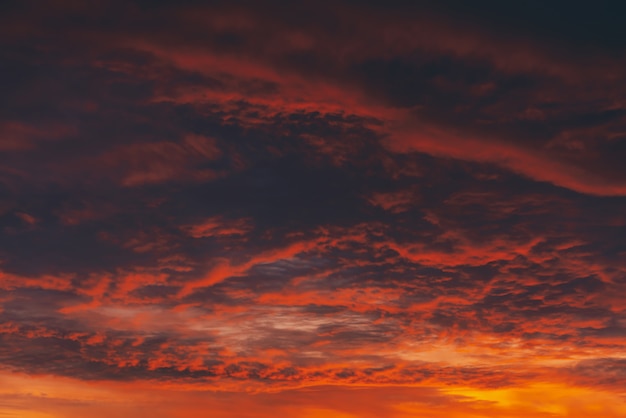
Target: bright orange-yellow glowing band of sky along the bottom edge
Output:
[(48, 396)]
